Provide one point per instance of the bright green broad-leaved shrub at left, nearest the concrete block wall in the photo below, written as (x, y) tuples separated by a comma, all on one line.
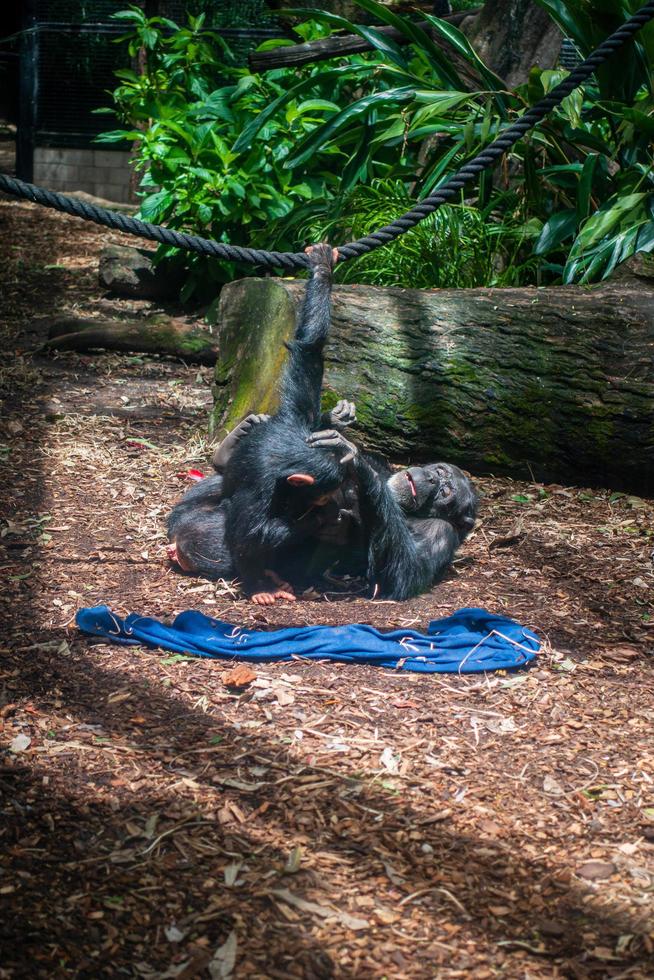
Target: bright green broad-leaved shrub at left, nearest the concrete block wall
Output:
[(186, 110)]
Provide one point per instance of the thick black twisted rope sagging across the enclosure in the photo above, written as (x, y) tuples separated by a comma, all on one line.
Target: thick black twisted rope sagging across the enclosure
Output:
[(295, 260)]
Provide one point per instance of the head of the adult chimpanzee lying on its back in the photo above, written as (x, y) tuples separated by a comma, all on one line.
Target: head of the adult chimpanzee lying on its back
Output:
[(436, 490)]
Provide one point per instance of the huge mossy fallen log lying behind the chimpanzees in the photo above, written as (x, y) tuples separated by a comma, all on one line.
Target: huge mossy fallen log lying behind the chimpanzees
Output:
[(553, 384)]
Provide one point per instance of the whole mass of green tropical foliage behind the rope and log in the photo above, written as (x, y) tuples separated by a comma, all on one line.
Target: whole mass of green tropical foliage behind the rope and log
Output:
[(344, 146)]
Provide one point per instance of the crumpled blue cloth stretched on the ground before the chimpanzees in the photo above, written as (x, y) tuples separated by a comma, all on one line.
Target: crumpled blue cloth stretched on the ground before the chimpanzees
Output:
[(469, 641)]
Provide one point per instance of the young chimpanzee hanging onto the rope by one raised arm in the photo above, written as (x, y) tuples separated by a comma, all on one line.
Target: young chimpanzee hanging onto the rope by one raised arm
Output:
[(269, 520)]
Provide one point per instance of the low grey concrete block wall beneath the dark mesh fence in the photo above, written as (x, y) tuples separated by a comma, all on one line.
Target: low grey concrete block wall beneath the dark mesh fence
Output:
[(103, 173)]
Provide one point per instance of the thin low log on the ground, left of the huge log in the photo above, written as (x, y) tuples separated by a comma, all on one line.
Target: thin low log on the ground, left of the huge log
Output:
[(157, 334)]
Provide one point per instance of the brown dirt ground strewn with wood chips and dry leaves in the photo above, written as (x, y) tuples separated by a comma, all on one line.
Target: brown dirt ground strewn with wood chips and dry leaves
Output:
[(326, 820)]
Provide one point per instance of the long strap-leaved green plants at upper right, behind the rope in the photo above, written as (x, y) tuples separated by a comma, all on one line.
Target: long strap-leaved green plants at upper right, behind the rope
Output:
[(583, 178)]
